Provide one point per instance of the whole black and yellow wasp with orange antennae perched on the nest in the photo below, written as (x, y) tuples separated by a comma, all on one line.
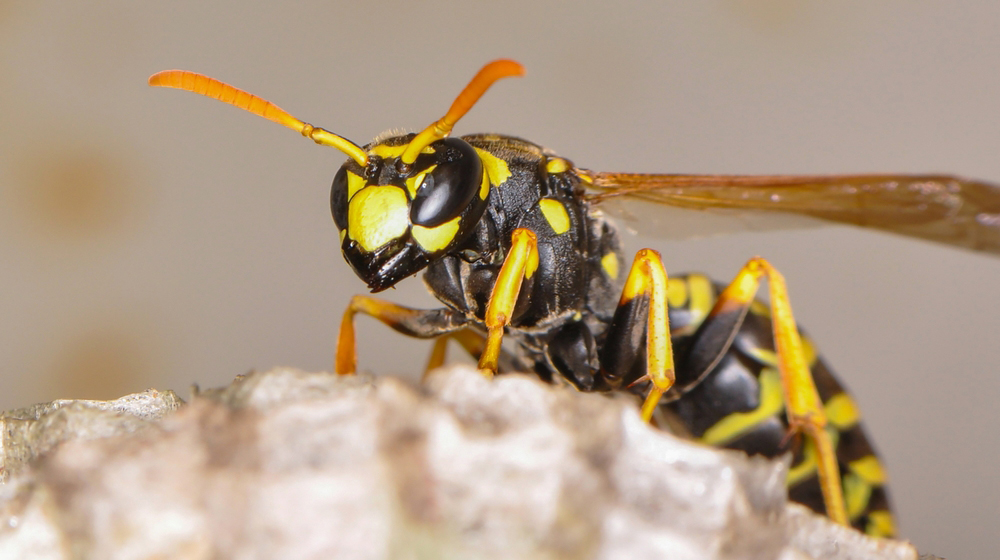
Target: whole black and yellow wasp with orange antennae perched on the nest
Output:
[(513, 241)]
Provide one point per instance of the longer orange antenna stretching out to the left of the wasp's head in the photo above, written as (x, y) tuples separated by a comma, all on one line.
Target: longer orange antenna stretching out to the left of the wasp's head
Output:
[(210, 87)]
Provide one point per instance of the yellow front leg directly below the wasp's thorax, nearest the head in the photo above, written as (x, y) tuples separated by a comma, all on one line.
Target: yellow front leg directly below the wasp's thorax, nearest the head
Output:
[(520, 263)]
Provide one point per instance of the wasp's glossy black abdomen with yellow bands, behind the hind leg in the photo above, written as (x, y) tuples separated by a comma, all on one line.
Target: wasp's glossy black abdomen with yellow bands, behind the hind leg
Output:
[(738, 404)]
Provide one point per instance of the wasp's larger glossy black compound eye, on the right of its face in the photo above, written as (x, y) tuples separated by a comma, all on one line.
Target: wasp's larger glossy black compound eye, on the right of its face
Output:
[(450, 187)]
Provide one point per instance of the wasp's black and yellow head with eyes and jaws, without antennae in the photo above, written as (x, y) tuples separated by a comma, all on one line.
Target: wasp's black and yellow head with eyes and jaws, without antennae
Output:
[(395, 217)]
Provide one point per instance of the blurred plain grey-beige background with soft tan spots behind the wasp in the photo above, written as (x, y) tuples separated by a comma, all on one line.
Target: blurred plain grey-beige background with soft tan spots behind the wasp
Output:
[(152, 237)]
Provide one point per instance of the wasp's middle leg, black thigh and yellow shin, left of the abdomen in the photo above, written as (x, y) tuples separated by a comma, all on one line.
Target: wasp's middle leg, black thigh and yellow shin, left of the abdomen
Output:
[(645, 293)]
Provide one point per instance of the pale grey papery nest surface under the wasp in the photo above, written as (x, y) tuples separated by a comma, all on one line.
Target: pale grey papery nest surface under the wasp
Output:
[(288, 464)]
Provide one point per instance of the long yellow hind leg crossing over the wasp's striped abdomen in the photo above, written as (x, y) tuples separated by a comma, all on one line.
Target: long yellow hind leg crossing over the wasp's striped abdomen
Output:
[(803, 404)]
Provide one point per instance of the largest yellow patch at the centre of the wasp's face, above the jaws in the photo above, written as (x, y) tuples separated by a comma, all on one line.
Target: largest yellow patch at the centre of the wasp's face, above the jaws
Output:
[(377, 215)]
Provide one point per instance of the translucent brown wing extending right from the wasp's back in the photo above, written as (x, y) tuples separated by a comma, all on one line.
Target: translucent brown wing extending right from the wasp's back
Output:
[(935, 207)]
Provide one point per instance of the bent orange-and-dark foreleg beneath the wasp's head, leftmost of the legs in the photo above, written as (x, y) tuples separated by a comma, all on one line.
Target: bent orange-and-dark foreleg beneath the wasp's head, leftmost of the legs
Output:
[(419, 323)]
